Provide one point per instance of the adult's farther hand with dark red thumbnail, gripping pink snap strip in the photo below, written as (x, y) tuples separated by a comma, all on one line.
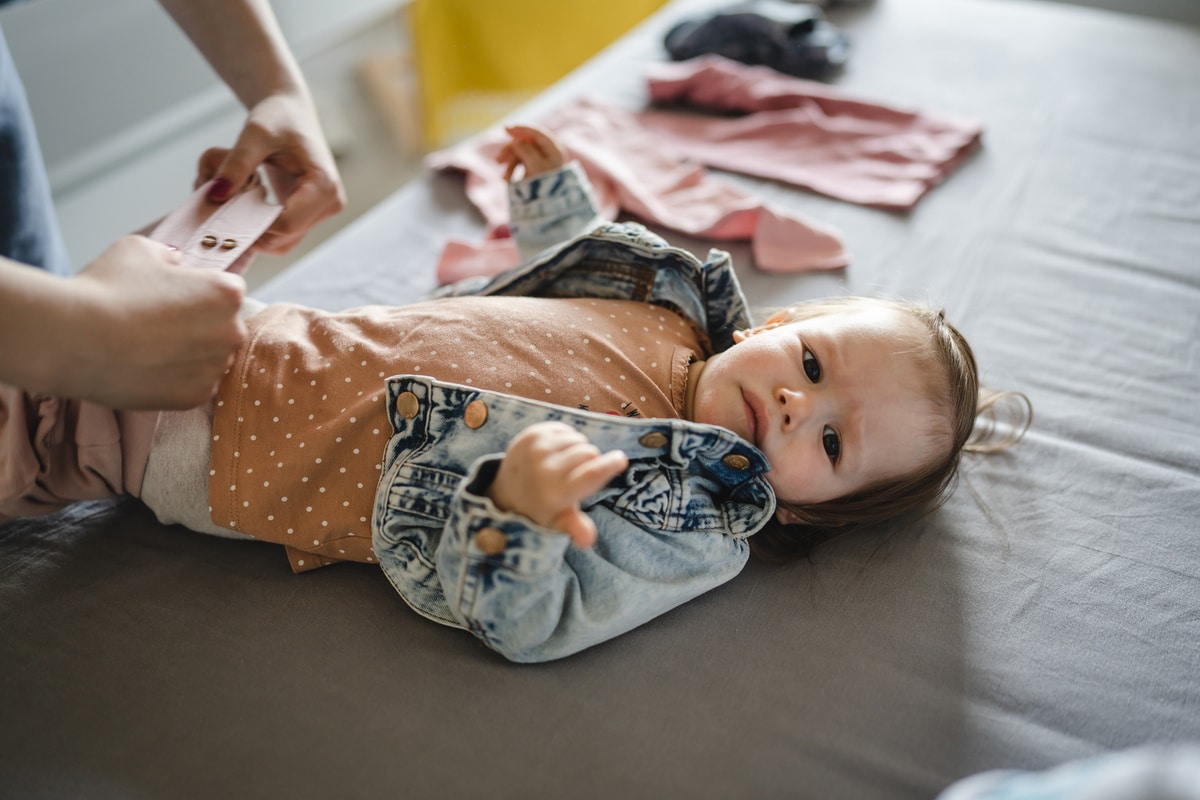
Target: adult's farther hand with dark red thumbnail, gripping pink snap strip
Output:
[(283, 130)]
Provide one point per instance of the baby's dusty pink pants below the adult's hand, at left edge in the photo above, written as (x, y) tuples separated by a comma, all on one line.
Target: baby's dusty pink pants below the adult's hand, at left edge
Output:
[(55, 453)]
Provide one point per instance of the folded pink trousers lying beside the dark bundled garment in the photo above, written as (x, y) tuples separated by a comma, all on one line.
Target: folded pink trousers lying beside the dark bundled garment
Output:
[(803, 133)]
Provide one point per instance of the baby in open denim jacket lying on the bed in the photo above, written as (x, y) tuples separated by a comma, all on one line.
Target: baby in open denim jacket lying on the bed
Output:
[(560, 455)]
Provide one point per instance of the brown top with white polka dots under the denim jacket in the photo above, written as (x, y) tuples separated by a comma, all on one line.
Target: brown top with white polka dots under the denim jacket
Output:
[(301, 426)]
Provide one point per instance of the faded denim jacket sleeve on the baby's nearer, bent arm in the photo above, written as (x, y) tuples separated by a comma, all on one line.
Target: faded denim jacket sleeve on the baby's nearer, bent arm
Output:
[(530, 594)]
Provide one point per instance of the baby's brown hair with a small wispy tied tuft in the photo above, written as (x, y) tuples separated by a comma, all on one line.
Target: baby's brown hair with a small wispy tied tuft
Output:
[(982, 420)]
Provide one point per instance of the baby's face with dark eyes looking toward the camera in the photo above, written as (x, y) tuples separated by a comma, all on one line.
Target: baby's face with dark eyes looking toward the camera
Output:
[(836, 402)]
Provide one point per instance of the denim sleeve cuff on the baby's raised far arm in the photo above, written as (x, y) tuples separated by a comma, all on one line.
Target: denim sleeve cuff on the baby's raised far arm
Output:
[(550, 209)]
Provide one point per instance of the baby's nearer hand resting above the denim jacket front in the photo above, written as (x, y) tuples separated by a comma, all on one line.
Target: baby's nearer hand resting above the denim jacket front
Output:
[(549, 470)]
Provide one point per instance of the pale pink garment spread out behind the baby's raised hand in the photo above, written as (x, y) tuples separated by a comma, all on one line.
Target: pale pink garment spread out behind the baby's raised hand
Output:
[(631, 171)]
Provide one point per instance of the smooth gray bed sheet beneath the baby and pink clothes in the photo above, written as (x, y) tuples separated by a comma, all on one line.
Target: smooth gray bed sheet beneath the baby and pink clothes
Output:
[(1049, 611)]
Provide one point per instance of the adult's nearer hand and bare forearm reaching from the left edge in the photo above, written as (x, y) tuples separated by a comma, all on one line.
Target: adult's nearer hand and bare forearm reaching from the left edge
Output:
[(133, 330)]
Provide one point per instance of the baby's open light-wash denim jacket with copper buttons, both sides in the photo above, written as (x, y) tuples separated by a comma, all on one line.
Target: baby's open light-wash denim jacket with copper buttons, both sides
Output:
[(673, 527)]
